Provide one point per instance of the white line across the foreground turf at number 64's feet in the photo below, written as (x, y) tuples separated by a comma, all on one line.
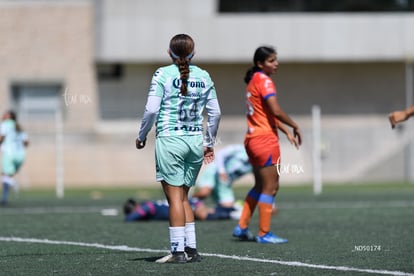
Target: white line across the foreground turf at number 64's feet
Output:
[(134, 249)]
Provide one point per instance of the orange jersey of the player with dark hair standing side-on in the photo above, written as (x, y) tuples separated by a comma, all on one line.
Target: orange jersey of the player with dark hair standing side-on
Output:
[(260, 120)]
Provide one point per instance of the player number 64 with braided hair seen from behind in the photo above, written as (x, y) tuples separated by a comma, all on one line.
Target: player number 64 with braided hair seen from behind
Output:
[(176, 100)]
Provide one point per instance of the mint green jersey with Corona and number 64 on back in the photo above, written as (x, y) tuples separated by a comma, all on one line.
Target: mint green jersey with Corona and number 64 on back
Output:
[(178, 114)]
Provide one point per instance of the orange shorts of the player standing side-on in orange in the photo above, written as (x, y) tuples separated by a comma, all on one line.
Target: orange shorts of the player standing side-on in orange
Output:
[(263, 150)]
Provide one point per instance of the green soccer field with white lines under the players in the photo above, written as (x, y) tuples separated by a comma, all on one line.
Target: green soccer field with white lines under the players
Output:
[(348, 230)]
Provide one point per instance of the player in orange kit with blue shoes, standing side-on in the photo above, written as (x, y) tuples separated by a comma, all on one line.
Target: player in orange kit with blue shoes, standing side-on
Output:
[(262, 144)]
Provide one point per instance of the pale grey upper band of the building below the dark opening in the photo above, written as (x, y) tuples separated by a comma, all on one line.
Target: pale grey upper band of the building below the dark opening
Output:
[(139, 31)]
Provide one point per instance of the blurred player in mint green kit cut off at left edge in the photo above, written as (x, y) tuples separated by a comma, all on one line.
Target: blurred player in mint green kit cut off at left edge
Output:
[(13, 142)]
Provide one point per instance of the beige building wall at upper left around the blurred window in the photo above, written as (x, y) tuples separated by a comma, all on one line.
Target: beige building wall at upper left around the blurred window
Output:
[(48, 44)]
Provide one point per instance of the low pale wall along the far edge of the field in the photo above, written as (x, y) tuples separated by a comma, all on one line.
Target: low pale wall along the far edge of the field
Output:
[(355, 149)]
